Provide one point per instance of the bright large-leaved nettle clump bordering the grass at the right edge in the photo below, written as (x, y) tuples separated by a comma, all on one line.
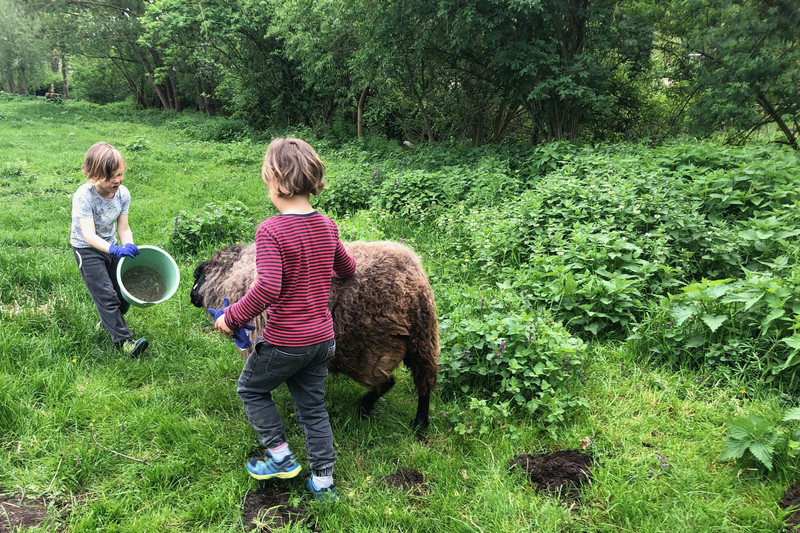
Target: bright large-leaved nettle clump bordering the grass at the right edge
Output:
[(747, 326)]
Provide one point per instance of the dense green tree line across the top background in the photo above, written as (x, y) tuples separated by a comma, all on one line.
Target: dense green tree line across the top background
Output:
[(488, 71)]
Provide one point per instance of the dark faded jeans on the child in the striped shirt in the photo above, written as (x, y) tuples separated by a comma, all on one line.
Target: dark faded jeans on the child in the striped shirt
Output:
[(304, 370)]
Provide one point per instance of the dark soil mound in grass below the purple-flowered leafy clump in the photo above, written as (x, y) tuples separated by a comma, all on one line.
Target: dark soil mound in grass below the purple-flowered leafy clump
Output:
[(557, 474)]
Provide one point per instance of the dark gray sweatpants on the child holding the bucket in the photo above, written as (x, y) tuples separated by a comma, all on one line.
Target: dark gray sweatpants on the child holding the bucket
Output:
[(99, 273)]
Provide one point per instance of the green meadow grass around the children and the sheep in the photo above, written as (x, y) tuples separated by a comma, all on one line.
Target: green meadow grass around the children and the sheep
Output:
[(177, 409)]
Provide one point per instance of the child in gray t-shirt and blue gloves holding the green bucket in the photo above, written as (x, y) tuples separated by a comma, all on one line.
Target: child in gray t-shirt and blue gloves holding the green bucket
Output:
[(99, 213)]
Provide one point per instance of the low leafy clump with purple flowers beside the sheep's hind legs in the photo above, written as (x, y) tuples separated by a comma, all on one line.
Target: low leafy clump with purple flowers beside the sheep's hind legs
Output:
[(507, 361)]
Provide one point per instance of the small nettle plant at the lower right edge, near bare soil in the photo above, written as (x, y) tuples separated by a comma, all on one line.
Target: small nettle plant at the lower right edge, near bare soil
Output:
[(771, 444)]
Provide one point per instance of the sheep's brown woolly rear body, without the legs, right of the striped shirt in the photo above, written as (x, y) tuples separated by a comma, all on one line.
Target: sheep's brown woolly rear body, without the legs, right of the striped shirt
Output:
[(385, 314)]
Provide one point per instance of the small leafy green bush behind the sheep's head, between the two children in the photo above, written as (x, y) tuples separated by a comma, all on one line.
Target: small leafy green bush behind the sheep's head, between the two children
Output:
[(217, 224)]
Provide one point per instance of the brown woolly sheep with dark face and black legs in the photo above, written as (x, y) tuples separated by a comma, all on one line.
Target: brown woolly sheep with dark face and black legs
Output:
[(382, 315)]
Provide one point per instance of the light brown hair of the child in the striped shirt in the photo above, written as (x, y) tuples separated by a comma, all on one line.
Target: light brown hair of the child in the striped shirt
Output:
[(293, 168)]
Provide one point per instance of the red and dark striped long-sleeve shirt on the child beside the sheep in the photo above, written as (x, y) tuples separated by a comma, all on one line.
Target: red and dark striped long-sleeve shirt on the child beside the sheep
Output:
[(295, 255)]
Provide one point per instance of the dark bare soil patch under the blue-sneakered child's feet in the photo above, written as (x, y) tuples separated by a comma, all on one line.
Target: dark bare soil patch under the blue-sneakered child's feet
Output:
[(268, 509)]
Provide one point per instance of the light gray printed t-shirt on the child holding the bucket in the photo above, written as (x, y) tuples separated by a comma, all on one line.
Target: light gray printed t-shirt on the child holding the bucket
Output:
[(87, 203)]
